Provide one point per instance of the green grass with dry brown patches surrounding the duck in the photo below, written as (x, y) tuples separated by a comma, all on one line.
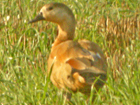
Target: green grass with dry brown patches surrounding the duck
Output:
[(114, 25)]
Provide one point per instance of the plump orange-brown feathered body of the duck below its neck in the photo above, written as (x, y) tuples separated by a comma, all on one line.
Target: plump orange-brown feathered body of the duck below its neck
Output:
[(77, 65)]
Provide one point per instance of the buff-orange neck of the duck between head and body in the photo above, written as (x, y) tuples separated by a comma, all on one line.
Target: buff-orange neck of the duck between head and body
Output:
[(66, 31)]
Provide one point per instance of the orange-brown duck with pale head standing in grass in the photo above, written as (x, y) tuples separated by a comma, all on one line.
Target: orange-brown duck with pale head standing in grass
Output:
[(73, 66)]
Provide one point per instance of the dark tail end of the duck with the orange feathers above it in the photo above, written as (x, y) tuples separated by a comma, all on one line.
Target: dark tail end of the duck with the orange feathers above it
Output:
[(84, 72)]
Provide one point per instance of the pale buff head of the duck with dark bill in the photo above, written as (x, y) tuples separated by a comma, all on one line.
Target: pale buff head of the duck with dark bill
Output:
[(54, 12)]
